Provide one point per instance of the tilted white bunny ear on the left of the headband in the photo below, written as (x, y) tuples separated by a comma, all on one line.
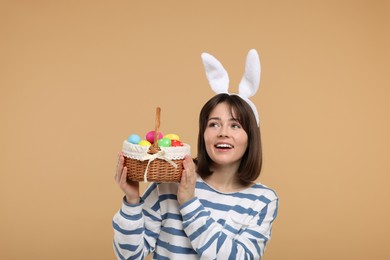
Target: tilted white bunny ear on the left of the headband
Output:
[(216, 74)]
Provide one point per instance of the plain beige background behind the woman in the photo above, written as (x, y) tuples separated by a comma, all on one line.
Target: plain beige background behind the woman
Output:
[(77, 77)]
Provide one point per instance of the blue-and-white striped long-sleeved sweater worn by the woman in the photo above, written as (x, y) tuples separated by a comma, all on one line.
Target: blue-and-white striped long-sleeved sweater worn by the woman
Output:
[(213, 225)]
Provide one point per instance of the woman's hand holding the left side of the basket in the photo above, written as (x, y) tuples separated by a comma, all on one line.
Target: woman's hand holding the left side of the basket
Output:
[(130, 188)]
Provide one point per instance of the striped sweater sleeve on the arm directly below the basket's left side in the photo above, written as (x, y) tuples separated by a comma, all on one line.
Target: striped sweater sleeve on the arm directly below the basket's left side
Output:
[(136, 227)]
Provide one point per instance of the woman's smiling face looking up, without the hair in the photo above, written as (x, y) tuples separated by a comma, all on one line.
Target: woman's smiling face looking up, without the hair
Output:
[(225, 139)]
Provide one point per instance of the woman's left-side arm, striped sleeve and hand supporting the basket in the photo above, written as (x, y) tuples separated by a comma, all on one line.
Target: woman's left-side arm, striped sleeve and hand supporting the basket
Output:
[(136, 225)]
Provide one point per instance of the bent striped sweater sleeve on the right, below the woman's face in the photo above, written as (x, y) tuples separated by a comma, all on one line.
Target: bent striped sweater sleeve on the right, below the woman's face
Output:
[(230, 238)]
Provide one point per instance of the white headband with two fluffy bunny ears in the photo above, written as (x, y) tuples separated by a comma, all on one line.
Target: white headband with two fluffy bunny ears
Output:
[(219, 80)]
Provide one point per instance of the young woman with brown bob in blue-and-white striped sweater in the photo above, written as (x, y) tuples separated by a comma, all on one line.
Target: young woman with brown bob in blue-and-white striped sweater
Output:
[(217, 211)]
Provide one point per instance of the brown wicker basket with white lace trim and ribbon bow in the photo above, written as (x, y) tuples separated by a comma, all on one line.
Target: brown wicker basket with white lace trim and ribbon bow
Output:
[(154, 164)]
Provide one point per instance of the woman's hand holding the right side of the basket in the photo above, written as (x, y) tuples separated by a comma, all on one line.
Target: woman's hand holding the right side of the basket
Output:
[(186, 190)]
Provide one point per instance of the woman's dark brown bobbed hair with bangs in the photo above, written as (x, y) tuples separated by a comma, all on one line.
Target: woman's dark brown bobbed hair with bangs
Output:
[(251, 162)]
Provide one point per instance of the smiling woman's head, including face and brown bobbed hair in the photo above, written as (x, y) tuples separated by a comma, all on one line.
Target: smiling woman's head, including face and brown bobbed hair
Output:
[(225, 120)]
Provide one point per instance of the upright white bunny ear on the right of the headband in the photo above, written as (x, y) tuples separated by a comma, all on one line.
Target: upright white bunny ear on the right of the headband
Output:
[(250, 81)]
